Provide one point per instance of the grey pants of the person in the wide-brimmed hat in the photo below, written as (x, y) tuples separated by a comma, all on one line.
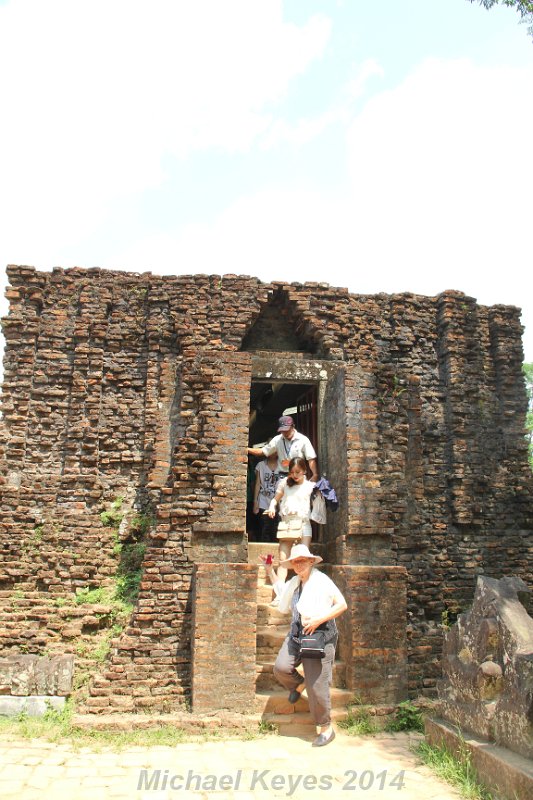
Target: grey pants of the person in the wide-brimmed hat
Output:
[(317, 673)]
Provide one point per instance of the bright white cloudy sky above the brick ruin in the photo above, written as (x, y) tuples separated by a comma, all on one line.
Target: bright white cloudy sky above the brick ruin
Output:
[(383, 146)]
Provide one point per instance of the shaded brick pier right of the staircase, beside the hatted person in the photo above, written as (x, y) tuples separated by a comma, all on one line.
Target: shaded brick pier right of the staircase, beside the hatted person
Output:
[(372, 638)]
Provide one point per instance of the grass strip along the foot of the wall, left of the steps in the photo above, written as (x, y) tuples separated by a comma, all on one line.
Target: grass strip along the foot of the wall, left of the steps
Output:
[(58, 726)]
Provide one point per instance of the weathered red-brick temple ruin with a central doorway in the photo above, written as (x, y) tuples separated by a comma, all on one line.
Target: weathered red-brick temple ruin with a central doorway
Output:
[(145, 391)]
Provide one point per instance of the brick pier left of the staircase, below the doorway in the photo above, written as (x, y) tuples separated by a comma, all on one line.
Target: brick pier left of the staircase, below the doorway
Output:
[(224, 637)]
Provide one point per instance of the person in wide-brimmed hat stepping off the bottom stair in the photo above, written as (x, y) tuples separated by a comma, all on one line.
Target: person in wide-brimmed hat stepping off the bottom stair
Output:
[(315, 601)]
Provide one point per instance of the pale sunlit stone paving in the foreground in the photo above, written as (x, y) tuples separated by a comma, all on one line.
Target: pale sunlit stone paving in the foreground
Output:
[(382, 767)]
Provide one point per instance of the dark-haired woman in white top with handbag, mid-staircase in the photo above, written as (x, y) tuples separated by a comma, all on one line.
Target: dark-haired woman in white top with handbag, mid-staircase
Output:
[(293, 495)]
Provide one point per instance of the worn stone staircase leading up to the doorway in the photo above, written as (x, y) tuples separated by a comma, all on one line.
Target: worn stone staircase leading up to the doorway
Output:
[(271, 699)]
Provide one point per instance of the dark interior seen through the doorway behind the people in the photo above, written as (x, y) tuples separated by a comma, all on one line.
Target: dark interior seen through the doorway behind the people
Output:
[(268, 402)]
